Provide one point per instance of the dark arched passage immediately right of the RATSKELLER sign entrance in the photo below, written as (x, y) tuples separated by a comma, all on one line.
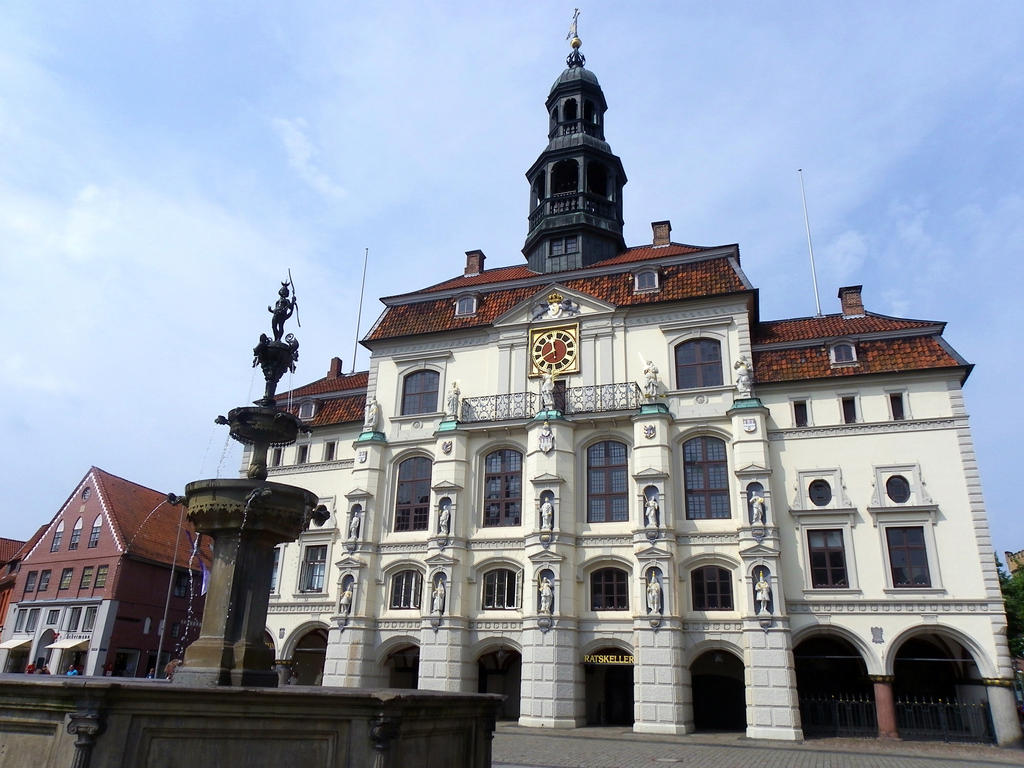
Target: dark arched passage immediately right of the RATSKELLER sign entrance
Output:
[(719, 699)]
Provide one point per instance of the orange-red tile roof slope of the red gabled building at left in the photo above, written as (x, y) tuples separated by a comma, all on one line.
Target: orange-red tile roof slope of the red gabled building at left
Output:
[(147, 525)]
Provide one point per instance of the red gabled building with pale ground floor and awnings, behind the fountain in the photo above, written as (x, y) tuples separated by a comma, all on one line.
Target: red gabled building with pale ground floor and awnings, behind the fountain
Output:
[(95, 583)]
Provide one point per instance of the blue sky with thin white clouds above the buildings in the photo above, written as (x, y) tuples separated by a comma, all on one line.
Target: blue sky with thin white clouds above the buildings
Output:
[(162, 167)]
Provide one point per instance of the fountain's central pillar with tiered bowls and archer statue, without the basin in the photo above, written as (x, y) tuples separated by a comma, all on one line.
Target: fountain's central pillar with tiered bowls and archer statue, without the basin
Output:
[(247, 520)]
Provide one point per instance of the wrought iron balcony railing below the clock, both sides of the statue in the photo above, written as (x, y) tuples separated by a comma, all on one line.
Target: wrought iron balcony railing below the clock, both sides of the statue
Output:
[(590, 400)]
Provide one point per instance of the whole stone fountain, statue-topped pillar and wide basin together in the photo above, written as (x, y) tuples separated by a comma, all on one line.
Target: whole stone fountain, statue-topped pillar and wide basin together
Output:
[(224, 707)]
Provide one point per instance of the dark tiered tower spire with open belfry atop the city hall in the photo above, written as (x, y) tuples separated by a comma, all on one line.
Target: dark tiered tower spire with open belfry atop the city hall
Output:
[(576, 186)]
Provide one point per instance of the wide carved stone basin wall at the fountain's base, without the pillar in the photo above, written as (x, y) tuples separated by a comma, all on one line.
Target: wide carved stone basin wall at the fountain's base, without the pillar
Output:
[(104, 724)]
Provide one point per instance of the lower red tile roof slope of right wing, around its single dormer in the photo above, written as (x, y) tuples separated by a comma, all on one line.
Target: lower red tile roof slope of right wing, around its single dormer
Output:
[(874, 357)]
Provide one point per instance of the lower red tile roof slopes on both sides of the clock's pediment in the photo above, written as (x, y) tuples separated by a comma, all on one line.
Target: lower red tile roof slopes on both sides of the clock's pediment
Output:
[(709, 278)]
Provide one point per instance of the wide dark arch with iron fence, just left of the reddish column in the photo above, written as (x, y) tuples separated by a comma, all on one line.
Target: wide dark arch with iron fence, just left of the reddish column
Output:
[(837, 699)]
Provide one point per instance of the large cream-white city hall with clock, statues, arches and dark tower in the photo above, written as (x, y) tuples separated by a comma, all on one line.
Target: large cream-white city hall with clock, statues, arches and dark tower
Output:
[(601, 484)]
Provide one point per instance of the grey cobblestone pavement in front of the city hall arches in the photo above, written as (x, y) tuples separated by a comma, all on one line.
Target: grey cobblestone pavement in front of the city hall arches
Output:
[(620, 748)]
